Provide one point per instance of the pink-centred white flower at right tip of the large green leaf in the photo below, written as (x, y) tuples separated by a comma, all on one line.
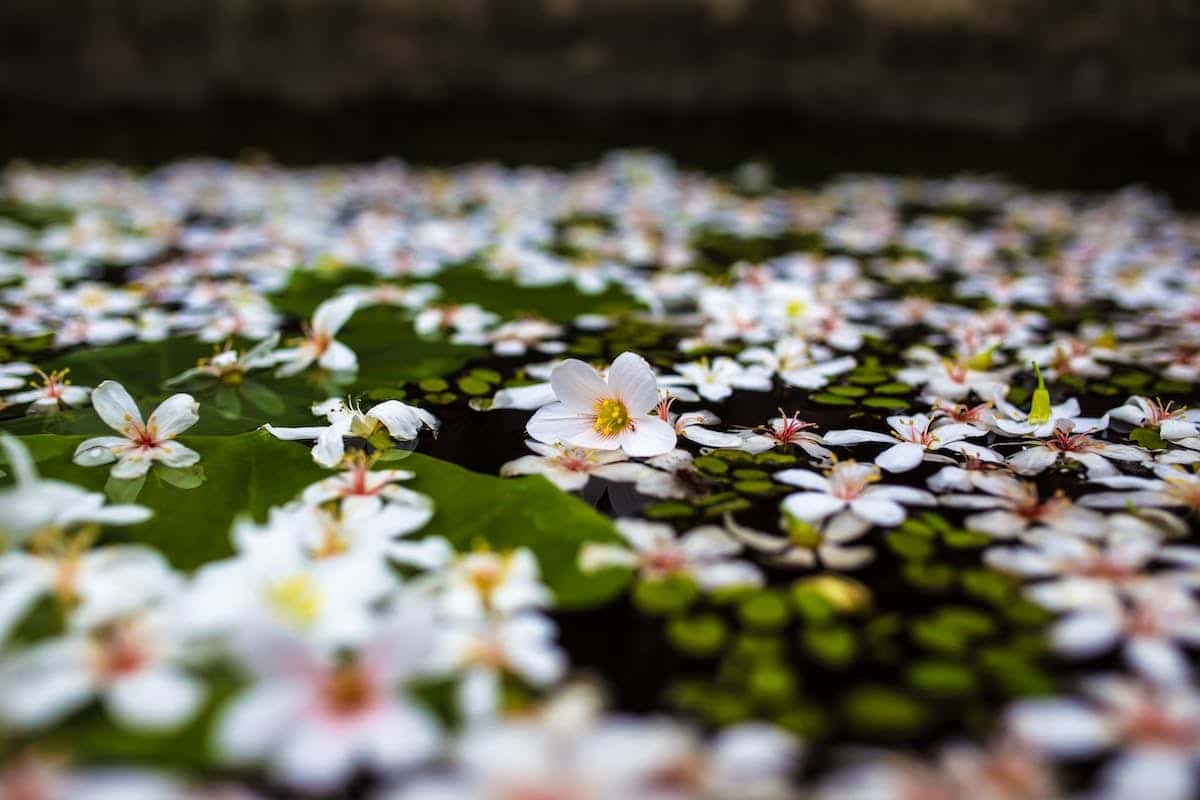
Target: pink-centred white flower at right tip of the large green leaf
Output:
[(705, 555)]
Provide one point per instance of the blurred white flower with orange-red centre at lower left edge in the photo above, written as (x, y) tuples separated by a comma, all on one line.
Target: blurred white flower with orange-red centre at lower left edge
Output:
[(133, 665)]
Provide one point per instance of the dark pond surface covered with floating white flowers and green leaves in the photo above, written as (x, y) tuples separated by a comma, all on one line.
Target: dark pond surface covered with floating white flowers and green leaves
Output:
[(620, 482)]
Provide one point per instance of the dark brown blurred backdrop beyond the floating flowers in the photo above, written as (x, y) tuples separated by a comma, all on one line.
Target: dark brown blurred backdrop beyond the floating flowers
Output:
[(1079, 93)]
